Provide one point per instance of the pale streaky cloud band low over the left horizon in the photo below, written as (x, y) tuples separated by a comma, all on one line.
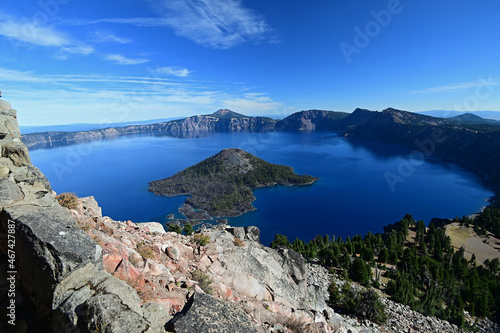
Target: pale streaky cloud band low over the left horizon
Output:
[(64, 99)]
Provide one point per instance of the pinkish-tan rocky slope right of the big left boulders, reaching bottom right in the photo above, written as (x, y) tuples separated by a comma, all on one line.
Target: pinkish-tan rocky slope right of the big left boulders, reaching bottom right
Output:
[(268, 290)]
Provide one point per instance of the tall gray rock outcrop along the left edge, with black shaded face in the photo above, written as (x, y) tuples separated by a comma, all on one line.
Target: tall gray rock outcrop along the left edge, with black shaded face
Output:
[(61, 285)]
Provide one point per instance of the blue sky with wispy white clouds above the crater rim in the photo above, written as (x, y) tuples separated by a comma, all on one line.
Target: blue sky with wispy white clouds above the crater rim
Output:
[(70, 61)]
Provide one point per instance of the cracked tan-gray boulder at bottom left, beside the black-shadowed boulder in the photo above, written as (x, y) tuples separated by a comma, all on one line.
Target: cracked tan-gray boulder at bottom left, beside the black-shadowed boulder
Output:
[(91, 300)]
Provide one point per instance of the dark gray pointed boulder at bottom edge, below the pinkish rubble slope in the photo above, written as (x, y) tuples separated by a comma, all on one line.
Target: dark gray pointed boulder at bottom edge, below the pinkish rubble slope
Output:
[(207, 314)]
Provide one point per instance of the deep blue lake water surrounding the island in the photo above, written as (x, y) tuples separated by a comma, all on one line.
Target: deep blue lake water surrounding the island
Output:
[(352, 195)]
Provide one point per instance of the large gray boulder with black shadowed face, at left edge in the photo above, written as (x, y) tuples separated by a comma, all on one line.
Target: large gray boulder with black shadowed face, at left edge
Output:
[(49, 247)]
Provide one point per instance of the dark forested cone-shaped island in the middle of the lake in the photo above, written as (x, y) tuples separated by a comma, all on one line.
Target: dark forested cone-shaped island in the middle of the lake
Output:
[(222, 184)]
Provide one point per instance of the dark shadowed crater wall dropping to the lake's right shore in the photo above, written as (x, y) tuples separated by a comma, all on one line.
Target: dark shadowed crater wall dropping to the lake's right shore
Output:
[(475, 146)]
